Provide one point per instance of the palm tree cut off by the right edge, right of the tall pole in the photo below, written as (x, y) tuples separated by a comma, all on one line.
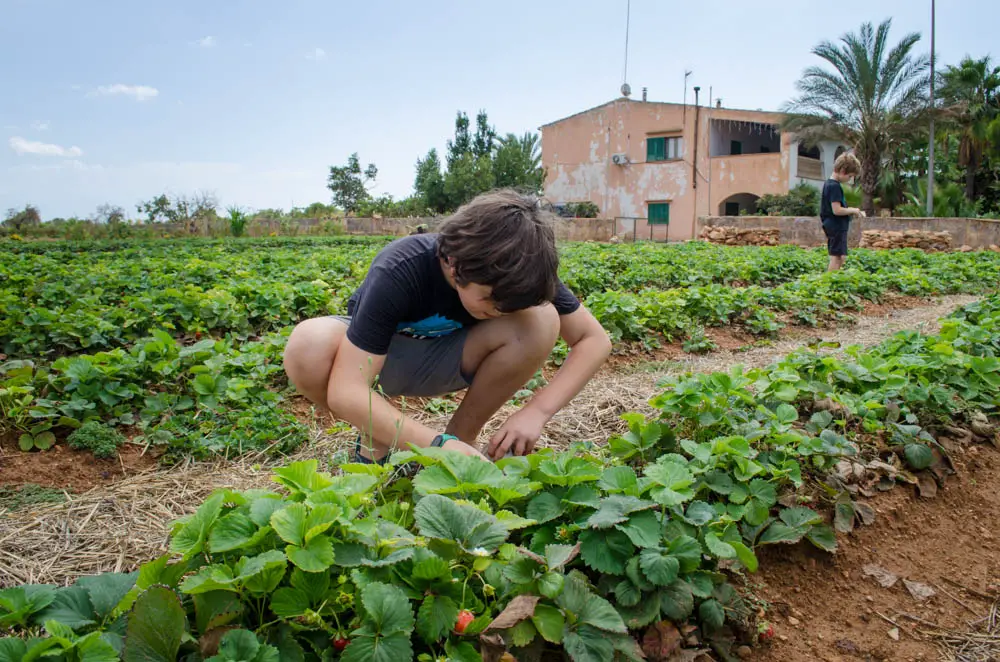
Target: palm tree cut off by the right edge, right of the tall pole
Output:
[(971, 94)]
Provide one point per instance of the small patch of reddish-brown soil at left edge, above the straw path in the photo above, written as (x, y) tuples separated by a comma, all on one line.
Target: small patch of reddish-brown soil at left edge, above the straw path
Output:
[(63, 468)]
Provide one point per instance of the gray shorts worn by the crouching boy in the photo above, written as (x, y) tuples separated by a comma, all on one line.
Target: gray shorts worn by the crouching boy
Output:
[(422, 367)]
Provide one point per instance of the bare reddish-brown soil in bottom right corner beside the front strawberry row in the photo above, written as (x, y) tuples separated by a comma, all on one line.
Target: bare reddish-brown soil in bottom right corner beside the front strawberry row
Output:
[(823, 607)]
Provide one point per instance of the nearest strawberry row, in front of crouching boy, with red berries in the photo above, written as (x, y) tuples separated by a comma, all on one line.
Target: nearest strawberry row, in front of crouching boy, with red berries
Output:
[(574, 554)]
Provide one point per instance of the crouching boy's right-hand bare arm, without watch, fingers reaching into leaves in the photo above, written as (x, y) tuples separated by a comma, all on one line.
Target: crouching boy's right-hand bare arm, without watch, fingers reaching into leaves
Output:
[(589, 348)]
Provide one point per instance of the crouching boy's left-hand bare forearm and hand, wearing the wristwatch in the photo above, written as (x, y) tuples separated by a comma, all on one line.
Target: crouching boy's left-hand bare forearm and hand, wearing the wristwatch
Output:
[(350, 396)]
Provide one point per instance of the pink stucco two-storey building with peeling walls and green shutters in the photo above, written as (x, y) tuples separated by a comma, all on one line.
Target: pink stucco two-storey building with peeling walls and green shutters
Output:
[(665, 164)]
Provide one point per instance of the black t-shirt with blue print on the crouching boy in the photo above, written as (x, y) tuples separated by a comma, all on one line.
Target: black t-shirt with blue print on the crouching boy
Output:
[(406, 292)]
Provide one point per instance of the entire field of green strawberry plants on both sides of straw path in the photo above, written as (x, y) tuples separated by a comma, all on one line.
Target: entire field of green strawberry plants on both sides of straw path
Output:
[(592, 552)]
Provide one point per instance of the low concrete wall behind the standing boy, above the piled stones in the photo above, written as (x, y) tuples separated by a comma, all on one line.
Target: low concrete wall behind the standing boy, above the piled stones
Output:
[(978, 233)]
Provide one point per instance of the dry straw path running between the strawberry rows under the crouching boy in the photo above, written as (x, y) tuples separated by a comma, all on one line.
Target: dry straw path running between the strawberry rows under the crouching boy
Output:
[(116, 528)]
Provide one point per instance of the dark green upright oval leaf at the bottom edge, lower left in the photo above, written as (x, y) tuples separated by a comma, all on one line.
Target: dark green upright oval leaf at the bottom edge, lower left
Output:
[(155, 627)]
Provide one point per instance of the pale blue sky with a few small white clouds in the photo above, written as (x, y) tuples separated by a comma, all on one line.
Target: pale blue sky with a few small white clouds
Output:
[(114, 101)]
